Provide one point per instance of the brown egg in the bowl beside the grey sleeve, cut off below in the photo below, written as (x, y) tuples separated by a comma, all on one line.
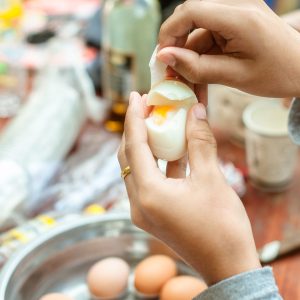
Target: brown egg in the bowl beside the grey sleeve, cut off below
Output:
[(182, 288)]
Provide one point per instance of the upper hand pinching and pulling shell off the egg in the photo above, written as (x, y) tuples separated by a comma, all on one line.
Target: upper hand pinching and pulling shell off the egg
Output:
[(242, 44)]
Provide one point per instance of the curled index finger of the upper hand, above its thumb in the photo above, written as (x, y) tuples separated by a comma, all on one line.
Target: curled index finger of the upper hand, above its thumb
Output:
[(198, 14)]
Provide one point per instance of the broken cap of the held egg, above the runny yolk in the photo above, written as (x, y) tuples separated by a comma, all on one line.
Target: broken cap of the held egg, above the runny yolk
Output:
[(171, 92)]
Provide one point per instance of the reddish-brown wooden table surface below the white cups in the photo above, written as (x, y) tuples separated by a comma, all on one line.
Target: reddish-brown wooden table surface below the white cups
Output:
[(273, 216)]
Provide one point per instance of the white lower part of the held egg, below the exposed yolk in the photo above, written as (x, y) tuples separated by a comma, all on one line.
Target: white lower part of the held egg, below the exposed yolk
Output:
[(168, 141)]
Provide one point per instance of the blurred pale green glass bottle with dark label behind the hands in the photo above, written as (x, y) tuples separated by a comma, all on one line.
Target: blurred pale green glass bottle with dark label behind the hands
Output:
[(130, 30)]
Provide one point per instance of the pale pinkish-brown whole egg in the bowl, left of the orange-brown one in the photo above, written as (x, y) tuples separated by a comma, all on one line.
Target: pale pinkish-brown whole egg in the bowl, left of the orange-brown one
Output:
[(108, 278)]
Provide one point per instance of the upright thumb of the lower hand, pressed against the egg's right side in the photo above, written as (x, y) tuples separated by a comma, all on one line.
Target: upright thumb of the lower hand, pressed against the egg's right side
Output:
[(202, 147)]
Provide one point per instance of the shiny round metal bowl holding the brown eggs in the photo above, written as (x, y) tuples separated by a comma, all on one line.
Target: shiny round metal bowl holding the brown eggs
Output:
[(59, 260)]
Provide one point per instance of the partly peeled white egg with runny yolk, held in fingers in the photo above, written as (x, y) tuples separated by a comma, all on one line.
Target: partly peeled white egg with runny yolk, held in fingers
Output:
[(166, 124)]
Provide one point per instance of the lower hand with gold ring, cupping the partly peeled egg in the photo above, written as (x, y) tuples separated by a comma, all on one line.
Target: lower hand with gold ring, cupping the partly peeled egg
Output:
[(200, 217)]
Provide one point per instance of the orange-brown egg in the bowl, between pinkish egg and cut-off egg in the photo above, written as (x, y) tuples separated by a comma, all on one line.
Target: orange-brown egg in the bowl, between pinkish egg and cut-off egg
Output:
[(152, 273)]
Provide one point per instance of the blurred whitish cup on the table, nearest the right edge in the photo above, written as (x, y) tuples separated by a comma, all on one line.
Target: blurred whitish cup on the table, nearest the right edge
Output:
[(271, 155)]
